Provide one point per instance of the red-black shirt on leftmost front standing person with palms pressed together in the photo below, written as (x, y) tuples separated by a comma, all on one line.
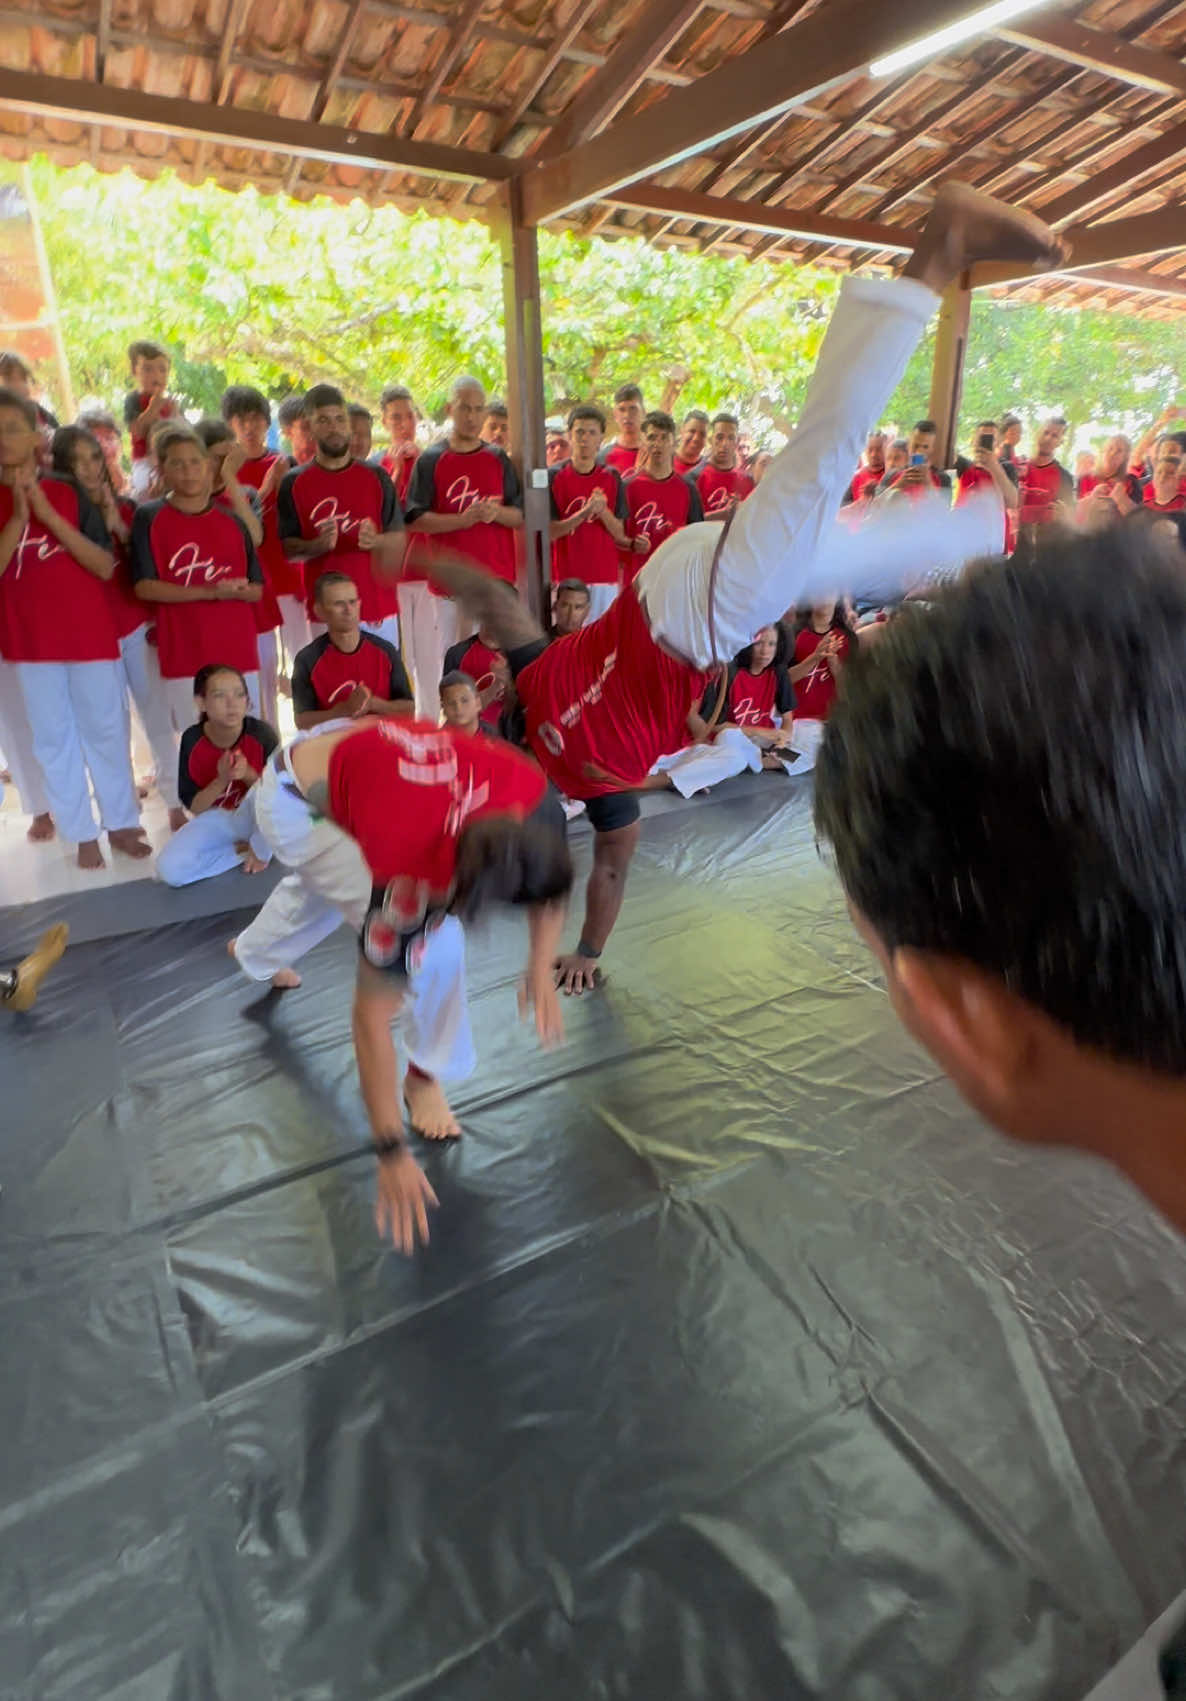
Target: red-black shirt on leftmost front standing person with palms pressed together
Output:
[(52, 610)]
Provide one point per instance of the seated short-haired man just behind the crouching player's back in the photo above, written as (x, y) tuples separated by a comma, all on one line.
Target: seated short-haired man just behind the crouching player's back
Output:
[(346, 671)]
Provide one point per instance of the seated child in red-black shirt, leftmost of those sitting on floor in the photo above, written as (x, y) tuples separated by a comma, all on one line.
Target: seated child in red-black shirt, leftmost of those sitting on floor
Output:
[(222, 759)]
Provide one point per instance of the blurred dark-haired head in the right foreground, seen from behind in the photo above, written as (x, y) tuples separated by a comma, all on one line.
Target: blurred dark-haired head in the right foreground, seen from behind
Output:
[(1005, 788)]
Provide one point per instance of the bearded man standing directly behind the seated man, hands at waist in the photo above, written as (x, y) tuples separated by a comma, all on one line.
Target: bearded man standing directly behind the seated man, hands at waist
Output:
[(345, 515)]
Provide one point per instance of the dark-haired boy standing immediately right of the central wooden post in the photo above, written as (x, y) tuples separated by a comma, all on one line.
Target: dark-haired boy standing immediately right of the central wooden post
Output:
[(590, 513)]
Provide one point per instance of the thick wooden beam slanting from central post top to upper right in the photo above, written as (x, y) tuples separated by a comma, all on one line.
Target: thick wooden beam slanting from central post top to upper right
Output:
[(824, 52)]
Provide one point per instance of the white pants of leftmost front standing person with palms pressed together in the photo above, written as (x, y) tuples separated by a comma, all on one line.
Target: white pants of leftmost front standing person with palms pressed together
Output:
[(83, 731)]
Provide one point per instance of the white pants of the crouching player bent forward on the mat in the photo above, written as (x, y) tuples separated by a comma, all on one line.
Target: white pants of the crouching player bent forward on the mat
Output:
[(331, 885)]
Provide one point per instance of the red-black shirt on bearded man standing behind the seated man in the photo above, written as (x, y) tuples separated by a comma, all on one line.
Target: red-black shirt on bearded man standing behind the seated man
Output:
[(312, 496)]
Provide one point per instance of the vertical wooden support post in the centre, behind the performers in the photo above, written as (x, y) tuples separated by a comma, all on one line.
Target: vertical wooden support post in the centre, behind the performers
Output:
[(523, 329)]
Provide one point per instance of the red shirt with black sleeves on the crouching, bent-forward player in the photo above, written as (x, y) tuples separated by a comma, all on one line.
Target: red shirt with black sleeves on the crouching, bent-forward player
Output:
[(406, 792)]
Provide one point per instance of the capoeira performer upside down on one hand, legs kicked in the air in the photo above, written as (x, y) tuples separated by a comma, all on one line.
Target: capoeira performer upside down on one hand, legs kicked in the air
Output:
[(608, 702)]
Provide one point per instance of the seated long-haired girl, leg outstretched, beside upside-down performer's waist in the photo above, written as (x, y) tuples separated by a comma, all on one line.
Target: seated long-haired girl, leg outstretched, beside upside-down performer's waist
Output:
[(756, 722)]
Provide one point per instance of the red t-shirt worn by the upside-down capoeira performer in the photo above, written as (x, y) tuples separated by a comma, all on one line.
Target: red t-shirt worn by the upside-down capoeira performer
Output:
[(605, 703)]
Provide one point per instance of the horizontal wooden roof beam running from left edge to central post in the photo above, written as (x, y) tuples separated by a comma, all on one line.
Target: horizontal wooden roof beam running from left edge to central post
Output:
[(66, 98)]
